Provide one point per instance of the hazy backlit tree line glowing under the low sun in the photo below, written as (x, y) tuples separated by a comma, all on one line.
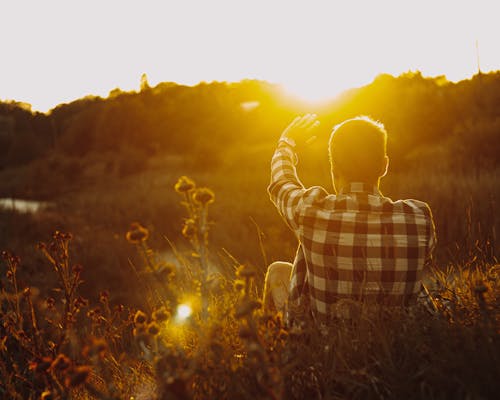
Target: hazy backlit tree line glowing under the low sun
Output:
[(421, 114)]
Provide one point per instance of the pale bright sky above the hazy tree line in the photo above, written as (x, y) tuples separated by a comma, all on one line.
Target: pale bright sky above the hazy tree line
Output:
[(56, 51)]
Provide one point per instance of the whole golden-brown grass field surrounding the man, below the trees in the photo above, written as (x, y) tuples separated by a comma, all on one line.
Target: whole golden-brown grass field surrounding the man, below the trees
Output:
[(94, 312)]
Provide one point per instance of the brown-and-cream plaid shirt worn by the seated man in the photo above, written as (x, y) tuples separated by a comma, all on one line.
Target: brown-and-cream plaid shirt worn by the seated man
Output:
[(356, 245)]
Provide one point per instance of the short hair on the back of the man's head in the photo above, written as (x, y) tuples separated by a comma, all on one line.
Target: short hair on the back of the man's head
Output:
[(357, 149)]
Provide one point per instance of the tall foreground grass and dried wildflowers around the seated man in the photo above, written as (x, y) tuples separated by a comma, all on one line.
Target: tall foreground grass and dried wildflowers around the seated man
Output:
[(55, 343)]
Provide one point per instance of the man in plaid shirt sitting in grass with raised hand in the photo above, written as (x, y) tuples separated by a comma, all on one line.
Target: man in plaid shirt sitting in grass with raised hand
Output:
[(355, 245)]
